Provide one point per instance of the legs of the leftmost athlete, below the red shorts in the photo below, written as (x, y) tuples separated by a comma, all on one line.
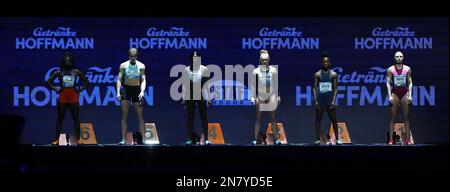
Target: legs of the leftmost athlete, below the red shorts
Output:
[(75, 112)]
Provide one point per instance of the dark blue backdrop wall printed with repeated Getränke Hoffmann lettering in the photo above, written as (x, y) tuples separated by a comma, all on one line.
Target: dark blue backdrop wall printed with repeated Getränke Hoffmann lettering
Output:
[(361, 49)]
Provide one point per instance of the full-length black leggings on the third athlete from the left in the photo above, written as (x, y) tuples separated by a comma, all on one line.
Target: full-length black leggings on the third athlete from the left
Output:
[(190, 105)]
